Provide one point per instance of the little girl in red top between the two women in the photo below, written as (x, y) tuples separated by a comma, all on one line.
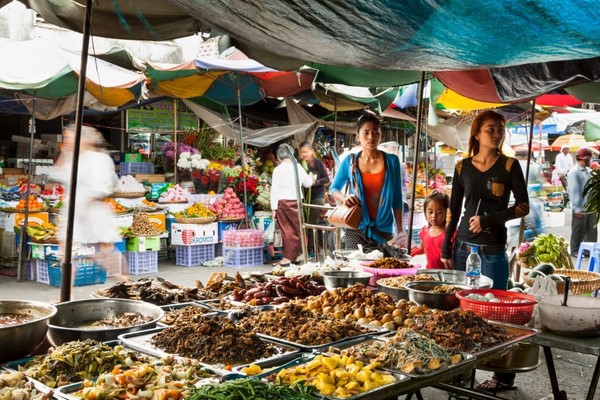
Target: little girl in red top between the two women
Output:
[(432, 236)]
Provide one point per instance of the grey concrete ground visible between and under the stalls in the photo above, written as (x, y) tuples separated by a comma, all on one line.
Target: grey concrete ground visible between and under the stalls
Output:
[(574, 370)]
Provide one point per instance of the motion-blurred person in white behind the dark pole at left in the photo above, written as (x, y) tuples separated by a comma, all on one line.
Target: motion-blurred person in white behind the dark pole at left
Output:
[(96, 178)]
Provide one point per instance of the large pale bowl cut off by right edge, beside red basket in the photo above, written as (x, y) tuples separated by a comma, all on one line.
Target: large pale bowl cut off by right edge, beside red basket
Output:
[(581, 316)]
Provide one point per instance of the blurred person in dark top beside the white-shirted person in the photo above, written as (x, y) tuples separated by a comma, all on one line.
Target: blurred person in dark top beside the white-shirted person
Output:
[(317, 191)]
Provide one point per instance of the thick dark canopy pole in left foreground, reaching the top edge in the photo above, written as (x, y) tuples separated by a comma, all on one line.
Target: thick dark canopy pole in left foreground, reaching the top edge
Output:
[(67, 266)]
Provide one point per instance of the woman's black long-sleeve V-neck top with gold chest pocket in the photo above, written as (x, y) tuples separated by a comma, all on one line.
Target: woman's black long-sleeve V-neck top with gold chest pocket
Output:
[(490, 190)]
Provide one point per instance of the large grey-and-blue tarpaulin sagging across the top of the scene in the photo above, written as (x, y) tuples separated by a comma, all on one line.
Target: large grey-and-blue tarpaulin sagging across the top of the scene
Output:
[(419, 35)]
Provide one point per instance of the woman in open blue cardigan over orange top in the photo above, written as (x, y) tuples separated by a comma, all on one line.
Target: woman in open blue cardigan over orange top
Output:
[(379, 184)]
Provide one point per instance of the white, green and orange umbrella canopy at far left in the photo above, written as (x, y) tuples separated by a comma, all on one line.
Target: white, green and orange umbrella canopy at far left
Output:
[(37, 68)]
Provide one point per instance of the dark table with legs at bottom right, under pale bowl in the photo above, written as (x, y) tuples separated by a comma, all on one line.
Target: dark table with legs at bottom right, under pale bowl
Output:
[(590, 346)]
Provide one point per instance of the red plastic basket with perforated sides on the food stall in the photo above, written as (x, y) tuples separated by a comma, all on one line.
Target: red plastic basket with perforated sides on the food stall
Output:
[(504, 311)]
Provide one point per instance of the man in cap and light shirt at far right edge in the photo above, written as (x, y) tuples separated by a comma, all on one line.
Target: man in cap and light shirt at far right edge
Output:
[(583, 225)]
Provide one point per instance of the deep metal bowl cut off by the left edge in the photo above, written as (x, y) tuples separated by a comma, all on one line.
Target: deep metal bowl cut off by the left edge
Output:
[(22, 339)]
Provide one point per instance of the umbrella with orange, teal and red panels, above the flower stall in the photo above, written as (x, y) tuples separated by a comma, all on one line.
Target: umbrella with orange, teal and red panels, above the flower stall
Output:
[(218, 80)]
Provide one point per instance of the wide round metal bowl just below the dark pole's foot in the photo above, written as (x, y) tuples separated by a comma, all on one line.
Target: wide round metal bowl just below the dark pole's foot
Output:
[(69, 322)]
